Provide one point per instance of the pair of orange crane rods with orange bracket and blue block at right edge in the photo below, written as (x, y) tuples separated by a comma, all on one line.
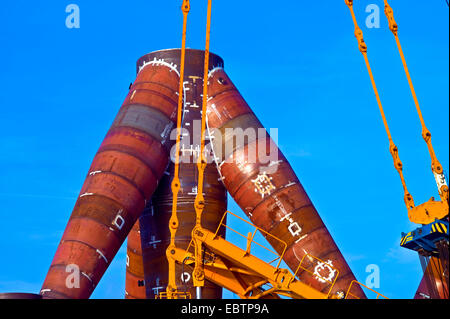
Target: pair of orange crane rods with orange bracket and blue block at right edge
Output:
[(432, 238)]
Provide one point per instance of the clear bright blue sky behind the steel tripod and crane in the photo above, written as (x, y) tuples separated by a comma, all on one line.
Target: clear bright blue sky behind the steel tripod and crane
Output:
[(295, 62)]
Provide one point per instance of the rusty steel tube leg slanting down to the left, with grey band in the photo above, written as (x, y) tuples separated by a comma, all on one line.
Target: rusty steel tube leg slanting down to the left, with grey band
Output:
[(123, 176)]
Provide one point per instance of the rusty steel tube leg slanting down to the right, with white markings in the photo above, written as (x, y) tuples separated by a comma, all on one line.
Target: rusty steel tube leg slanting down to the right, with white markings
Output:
[(260, 179)]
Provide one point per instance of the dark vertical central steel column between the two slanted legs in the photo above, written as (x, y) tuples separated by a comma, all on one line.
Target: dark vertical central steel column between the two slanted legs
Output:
[(154, 224)]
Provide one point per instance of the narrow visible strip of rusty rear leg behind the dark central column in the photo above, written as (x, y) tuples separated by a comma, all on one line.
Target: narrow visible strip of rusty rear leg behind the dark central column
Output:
[(134, 280)]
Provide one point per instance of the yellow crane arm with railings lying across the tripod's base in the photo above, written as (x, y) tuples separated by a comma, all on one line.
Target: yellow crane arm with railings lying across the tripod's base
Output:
[(250, 277)]
